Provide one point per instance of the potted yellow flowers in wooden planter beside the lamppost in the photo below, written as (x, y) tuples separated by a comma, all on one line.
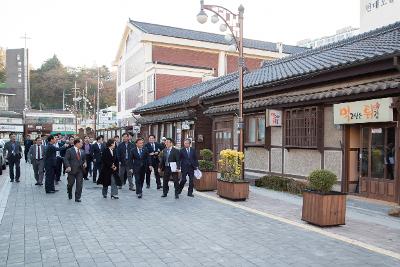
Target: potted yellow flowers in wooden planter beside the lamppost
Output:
[(231, 185)]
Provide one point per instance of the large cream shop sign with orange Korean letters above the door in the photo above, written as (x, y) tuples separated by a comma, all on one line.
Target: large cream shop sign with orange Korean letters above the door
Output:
[(376, 110)]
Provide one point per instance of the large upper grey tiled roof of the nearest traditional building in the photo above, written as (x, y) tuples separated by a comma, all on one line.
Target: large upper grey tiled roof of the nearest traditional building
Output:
[(368, 46)]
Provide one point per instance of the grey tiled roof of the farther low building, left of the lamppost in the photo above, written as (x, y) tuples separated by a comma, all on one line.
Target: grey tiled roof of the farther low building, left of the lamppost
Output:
[(184, 95)]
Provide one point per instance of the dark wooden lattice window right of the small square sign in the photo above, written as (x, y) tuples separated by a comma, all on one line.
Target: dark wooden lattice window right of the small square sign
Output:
[(302, 127)]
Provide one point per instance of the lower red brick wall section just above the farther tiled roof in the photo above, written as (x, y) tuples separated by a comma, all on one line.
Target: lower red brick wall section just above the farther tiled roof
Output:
[(165, 83)]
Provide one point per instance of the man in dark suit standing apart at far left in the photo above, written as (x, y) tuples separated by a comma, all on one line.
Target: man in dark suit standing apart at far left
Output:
[(13, 151)]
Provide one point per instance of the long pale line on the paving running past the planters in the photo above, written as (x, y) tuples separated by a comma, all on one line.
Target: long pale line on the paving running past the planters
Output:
[(307, 227)]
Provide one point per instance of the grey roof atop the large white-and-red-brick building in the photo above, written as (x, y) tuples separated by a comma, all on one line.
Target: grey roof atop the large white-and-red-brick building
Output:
[(209, 37)]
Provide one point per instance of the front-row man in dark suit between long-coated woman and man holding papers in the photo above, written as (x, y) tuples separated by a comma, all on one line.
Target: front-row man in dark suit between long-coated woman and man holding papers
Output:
[(139, 163)]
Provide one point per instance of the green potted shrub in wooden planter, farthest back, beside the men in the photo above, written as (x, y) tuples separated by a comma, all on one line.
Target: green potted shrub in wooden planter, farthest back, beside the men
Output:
[(208, 180)]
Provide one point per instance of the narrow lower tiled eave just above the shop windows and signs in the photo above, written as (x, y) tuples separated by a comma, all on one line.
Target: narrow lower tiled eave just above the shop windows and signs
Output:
[(306, 96)]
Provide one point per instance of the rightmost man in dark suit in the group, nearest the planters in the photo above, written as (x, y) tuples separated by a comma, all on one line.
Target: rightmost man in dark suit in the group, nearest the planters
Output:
[(189, 163)]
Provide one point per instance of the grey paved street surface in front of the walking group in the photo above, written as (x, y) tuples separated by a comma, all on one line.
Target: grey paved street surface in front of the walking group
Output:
[(49, 230)]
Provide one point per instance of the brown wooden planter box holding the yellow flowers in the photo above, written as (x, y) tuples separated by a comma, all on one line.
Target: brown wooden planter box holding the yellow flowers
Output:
[(232, 190)]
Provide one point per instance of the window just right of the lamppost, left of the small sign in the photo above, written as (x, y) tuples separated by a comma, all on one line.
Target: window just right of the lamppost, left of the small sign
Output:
[(255, 126)]
